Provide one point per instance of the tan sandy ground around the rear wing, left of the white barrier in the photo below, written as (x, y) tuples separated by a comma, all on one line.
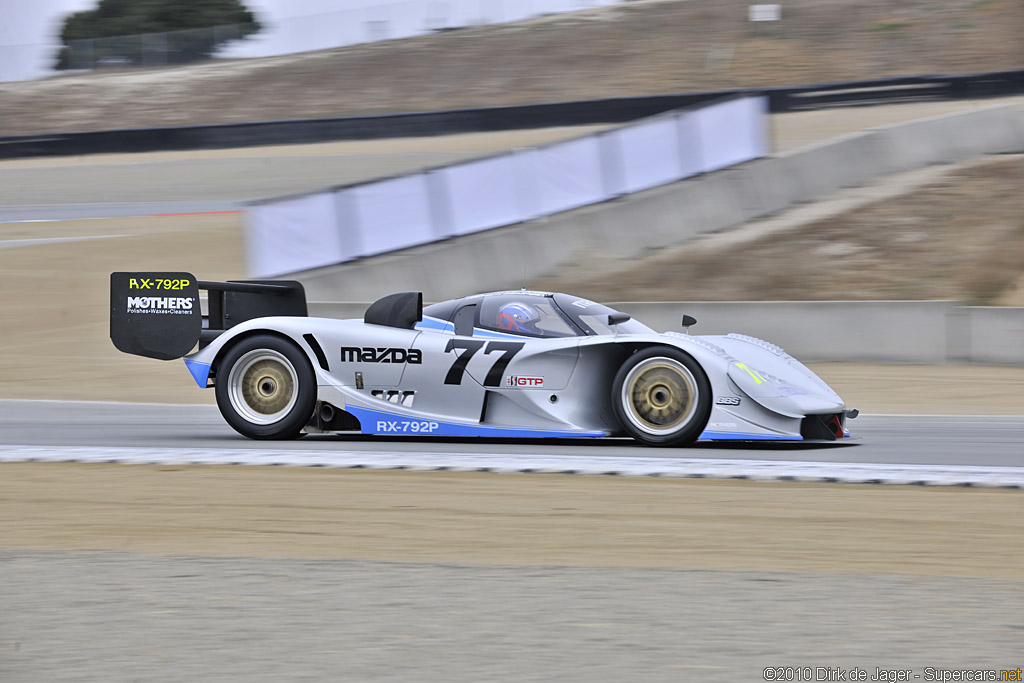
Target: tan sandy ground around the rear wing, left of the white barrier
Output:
[(56, 300)]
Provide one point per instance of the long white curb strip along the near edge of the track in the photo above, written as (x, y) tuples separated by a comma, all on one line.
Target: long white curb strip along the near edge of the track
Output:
[(757, 471)]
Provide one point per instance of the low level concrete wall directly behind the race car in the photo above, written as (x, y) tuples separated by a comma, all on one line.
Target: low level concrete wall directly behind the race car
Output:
[(918, 332)]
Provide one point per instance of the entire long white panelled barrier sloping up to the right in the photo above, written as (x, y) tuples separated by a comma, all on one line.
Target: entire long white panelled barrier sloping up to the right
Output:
[(476, 196)]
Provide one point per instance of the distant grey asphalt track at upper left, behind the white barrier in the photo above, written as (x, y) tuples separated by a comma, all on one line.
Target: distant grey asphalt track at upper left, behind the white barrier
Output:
[(122, 186)]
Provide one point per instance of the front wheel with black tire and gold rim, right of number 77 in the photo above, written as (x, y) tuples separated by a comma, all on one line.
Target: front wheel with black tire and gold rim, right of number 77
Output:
[(662, 397)]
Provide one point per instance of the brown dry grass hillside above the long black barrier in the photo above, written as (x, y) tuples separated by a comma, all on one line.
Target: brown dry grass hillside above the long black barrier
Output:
[(641, 48)]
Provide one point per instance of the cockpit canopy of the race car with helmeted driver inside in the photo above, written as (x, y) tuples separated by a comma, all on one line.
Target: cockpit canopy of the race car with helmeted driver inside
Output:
[(528, 315)]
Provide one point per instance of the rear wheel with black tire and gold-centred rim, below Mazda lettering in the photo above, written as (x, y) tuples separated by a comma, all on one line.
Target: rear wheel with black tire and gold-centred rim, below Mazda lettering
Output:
[(267, 389)]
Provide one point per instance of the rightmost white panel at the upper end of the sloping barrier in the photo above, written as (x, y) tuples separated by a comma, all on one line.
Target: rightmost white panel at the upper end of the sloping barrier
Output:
[(732, 133)]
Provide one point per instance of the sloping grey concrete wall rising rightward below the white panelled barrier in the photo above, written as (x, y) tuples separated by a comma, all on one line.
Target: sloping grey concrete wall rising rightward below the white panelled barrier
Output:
[(508, 257)]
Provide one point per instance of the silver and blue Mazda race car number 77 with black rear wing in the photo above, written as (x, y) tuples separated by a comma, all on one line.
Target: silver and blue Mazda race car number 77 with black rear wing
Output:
[(517, 364)]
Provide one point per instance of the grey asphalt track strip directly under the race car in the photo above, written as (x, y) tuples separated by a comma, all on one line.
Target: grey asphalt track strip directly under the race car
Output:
[(960, 441)]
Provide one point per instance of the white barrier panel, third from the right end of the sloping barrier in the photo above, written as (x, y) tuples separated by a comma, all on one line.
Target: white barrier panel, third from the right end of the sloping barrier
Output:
[(563, 177)]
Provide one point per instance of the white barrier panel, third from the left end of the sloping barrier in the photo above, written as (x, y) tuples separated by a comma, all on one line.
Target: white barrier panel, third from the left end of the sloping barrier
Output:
[(483, 195)]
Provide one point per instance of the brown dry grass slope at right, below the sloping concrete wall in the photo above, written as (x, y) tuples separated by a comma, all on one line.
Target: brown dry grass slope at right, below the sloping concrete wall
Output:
[(961, 238)]
